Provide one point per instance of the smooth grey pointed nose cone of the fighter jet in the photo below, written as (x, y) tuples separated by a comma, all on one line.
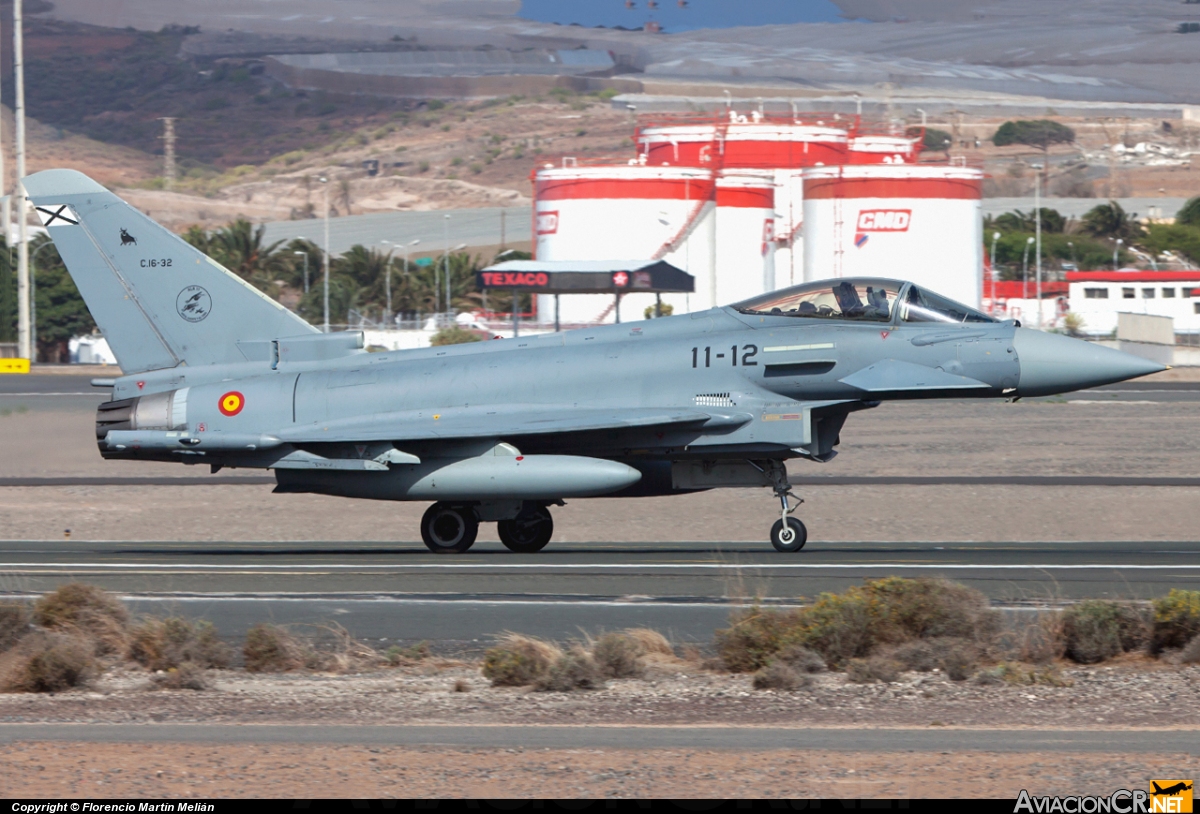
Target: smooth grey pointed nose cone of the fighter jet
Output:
[(1052, 363)]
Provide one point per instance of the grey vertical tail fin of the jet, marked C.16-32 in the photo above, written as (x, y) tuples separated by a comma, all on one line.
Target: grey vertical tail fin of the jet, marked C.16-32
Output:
[(159, 302)]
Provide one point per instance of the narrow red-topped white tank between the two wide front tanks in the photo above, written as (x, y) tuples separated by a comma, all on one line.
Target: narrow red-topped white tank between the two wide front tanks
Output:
[(746, 235)]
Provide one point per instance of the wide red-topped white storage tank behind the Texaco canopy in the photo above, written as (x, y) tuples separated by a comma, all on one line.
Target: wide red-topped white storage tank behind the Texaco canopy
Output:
[(623, 212)]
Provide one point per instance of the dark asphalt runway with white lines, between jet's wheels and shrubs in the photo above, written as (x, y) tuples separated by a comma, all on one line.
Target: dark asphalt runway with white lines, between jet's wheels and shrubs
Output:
[(403, 592)]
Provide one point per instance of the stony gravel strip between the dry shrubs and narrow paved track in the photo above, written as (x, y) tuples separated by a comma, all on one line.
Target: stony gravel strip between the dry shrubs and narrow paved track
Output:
[(1135, 692)]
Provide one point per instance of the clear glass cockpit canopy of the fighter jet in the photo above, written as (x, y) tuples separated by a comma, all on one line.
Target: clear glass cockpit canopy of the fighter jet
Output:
[(861, 300)]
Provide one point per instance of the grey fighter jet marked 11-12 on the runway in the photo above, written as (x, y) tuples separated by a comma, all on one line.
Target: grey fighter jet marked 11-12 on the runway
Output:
[(218, 374)]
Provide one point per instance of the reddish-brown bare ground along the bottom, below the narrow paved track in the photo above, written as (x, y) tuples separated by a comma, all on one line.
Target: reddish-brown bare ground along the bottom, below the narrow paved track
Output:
[(296, 771)]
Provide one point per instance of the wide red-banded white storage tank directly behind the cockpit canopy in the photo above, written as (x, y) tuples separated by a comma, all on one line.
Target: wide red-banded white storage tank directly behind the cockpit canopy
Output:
[(919, 223)]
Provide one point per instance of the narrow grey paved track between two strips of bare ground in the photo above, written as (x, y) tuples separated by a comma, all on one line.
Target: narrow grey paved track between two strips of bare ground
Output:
[(641, 738)]
